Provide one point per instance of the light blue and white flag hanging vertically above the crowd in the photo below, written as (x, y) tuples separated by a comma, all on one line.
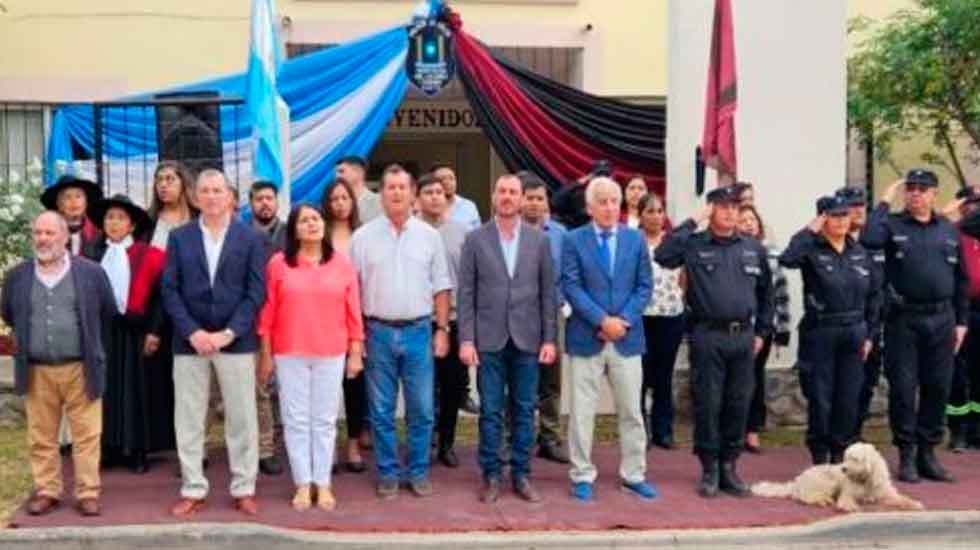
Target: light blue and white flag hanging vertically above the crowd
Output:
[(262, 100)]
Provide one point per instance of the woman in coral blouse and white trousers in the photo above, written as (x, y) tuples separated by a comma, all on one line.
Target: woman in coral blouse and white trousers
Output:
[(312, 334)]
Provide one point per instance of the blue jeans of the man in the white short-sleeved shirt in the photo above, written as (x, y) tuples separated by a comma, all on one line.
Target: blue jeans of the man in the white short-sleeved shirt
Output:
[(405, 354)]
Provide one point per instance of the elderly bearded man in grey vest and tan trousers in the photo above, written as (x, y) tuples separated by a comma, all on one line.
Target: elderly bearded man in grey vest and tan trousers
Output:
[(57, 306)]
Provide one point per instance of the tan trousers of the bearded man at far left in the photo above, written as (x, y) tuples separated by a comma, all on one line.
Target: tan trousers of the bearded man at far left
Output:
[(51, 391)]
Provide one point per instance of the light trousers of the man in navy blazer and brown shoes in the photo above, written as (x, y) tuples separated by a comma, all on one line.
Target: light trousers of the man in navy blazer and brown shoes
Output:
[(192, 383)]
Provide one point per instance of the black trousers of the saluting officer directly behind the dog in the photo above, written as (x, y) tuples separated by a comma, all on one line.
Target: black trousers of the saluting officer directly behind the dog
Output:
[(831, 376)]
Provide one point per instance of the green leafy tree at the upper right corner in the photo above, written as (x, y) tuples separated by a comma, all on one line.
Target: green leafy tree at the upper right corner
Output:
[(918, 73)]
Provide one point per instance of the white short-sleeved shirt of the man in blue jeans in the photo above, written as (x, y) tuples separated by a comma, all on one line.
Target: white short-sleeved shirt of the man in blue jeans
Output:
[(399, 272)]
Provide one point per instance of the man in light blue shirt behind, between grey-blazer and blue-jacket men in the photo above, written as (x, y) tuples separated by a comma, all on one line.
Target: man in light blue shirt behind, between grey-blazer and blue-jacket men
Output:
[(535, 212)]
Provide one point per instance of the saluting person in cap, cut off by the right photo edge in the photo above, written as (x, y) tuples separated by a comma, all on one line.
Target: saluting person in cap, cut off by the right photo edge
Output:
[(963, 409)]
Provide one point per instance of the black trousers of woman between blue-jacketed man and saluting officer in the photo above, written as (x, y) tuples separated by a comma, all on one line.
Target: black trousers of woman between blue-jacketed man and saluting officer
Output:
[(663, 336)]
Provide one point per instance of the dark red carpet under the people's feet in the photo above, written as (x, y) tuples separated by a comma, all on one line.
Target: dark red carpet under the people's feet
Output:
[(131, 499)]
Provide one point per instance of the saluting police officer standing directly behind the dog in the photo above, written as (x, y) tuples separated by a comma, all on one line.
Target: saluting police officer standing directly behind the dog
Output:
[(841, 310)]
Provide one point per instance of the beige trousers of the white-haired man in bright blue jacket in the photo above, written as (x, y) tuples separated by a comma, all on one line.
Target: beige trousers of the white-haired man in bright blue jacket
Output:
[(625, 376)]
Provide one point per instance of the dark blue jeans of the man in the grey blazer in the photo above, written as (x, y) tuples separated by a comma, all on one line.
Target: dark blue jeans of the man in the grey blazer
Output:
[(508, 373)]
